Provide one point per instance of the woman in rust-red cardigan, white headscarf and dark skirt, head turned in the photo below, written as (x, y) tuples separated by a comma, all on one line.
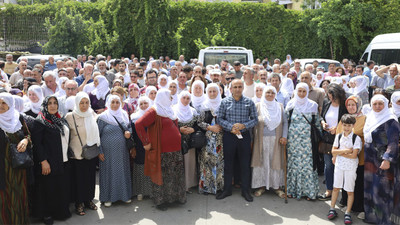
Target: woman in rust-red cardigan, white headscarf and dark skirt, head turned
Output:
[(162, 142)]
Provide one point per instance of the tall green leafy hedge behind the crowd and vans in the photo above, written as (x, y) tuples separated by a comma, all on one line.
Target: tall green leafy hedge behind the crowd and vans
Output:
[(341, 28)]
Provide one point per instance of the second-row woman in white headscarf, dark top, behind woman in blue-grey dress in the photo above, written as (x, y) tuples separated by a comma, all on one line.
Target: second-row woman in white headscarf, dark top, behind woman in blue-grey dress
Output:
[(99, 95)]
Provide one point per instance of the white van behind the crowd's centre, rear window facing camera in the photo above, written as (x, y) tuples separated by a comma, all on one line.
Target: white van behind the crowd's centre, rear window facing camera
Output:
[(214, 55)]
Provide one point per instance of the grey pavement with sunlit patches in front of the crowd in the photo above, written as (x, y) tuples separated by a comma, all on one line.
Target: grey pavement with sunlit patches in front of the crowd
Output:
[(202, 210)]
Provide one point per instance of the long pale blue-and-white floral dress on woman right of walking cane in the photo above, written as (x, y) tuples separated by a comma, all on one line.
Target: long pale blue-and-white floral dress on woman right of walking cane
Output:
[(302, 180)]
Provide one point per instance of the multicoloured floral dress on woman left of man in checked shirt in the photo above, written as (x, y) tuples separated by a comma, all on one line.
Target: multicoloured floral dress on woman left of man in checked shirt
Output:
[(211, 157)]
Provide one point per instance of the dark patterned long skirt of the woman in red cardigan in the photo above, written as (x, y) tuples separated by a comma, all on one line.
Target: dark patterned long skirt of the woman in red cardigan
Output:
[(173, 175)]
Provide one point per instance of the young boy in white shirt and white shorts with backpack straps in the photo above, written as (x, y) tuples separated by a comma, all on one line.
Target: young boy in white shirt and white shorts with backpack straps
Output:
[(345, 157)]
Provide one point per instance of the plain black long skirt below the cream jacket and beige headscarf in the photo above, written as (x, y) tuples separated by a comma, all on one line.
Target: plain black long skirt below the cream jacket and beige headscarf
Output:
[(83, 180)]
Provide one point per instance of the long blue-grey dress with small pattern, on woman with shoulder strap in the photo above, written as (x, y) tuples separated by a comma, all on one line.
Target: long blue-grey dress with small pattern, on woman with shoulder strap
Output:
[(114, 176)]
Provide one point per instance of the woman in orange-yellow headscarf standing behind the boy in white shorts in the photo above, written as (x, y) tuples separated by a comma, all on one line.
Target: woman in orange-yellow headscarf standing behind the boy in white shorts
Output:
[(353, 106)]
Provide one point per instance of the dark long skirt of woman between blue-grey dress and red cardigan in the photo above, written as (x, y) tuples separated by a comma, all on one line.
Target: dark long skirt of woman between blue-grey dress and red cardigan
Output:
[(141, 184)]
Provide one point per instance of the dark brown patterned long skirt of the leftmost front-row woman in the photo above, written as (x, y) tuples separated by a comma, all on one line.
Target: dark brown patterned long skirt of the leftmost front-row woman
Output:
[(14, 199)]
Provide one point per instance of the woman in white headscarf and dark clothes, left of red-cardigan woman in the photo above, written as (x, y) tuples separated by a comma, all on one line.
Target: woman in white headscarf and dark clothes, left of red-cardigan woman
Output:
[(141, 184)]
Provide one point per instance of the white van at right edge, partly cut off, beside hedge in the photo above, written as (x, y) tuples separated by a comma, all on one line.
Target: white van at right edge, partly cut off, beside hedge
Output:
[(384, 49)]
